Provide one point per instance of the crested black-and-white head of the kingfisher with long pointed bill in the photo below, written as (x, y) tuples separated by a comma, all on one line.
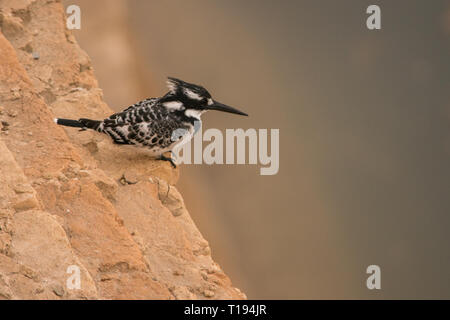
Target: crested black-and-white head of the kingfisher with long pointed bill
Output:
[(192, 99)]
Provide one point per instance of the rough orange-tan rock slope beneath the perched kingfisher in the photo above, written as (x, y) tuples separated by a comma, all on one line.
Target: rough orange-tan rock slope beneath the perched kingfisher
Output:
[(71, 199)]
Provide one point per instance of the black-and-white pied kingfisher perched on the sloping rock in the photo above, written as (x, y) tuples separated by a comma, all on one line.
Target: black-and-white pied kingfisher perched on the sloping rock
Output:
[(157, 124)]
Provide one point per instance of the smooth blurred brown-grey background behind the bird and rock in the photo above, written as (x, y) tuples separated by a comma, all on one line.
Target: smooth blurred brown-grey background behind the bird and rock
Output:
[(364, 134)]
